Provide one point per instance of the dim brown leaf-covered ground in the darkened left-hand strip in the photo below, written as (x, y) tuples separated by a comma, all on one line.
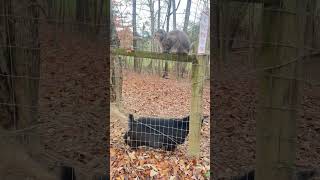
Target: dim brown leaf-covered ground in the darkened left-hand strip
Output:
[(73, 100)]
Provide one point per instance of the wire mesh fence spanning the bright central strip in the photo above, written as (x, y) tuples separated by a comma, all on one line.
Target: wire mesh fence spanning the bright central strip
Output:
[(154, 91)]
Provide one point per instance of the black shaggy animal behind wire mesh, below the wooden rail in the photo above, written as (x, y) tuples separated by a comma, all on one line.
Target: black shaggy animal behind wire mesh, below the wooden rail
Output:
[(158, 133)]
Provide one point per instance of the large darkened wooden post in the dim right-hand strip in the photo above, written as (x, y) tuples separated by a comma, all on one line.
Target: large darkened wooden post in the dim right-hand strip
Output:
[(279, 96)]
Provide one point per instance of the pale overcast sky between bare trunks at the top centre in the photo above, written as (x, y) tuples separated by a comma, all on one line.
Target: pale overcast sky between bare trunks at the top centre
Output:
[(143, 13)]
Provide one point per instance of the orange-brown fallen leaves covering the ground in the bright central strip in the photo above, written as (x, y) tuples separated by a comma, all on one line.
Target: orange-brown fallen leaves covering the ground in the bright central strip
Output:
[(150, 95)]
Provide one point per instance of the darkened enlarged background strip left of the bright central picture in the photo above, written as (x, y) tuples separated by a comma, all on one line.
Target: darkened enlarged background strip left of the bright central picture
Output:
[(52, 103)]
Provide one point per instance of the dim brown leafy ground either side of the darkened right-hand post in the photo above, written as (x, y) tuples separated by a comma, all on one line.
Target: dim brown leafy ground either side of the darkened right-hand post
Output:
[(234, 107)]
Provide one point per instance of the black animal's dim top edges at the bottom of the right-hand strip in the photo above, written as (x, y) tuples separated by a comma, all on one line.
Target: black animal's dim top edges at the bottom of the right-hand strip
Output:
[(299, 175)]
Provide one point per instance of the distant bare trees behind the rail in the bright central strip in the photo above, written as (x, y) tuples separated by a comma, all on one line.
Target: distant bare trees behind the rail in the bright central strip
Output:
[(161, 15)]
